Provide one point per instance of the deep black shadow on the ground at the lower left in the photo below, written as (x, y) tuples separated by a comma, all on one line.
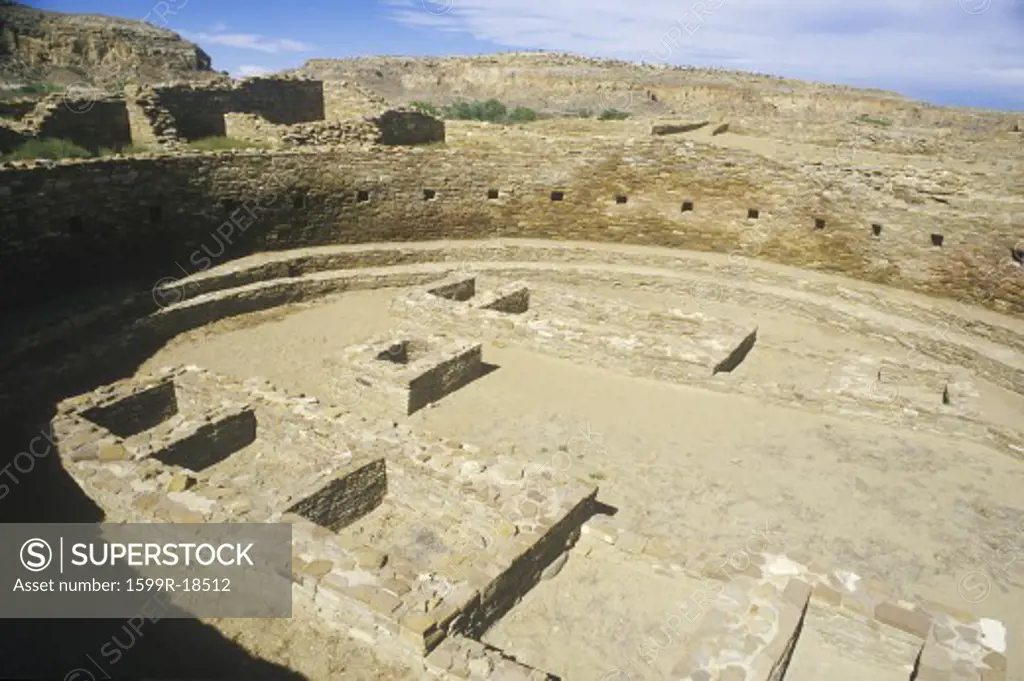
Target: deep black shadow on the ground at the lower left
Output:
[(72, 650)]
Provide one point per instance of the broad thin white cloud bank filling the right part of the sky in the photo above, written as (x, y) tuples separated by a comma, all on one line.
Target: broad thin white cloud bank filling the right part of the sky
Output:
[(930, 45)]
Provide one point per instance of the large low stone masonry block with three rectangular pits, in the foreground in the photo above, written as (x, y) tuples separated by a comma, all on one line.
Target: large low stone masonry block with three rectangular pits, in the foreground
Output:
[(402, 599)]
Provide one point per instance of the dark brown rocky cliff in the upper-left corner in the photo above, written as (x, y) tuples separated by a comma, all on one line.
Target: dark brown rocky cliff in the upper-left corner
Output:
[(45, 47)]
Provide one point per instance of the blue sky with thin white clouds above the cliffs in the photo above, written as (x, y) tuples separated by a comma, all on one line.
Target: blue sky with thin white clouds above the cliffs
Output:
[(968, 53)]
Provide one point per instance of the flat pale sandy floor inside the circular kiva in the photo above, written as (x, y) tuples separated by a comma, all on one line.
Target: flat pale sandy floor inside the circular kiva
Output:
[(916, 510)]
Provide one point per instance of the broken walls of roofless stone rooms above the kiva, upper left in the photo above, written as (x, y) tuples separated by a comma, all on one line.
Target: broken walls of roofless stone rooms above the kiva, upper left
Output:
[(286, 111)]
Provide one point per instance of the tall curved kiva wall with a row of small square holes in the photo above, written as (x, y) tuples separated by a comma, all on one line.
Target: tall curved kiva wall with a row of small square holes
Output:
[(70, 226)]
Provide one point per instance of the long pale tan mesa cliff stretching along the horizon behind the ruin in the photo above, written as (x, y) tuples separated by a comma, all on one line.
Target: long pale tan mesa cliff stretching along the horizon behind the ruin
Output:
[(754, 104)]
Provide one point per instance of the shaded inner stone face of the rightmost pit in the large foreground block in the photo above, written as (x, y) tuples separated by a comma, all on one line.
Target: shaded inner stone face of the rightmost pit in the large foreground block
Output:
[(347, 498)]
